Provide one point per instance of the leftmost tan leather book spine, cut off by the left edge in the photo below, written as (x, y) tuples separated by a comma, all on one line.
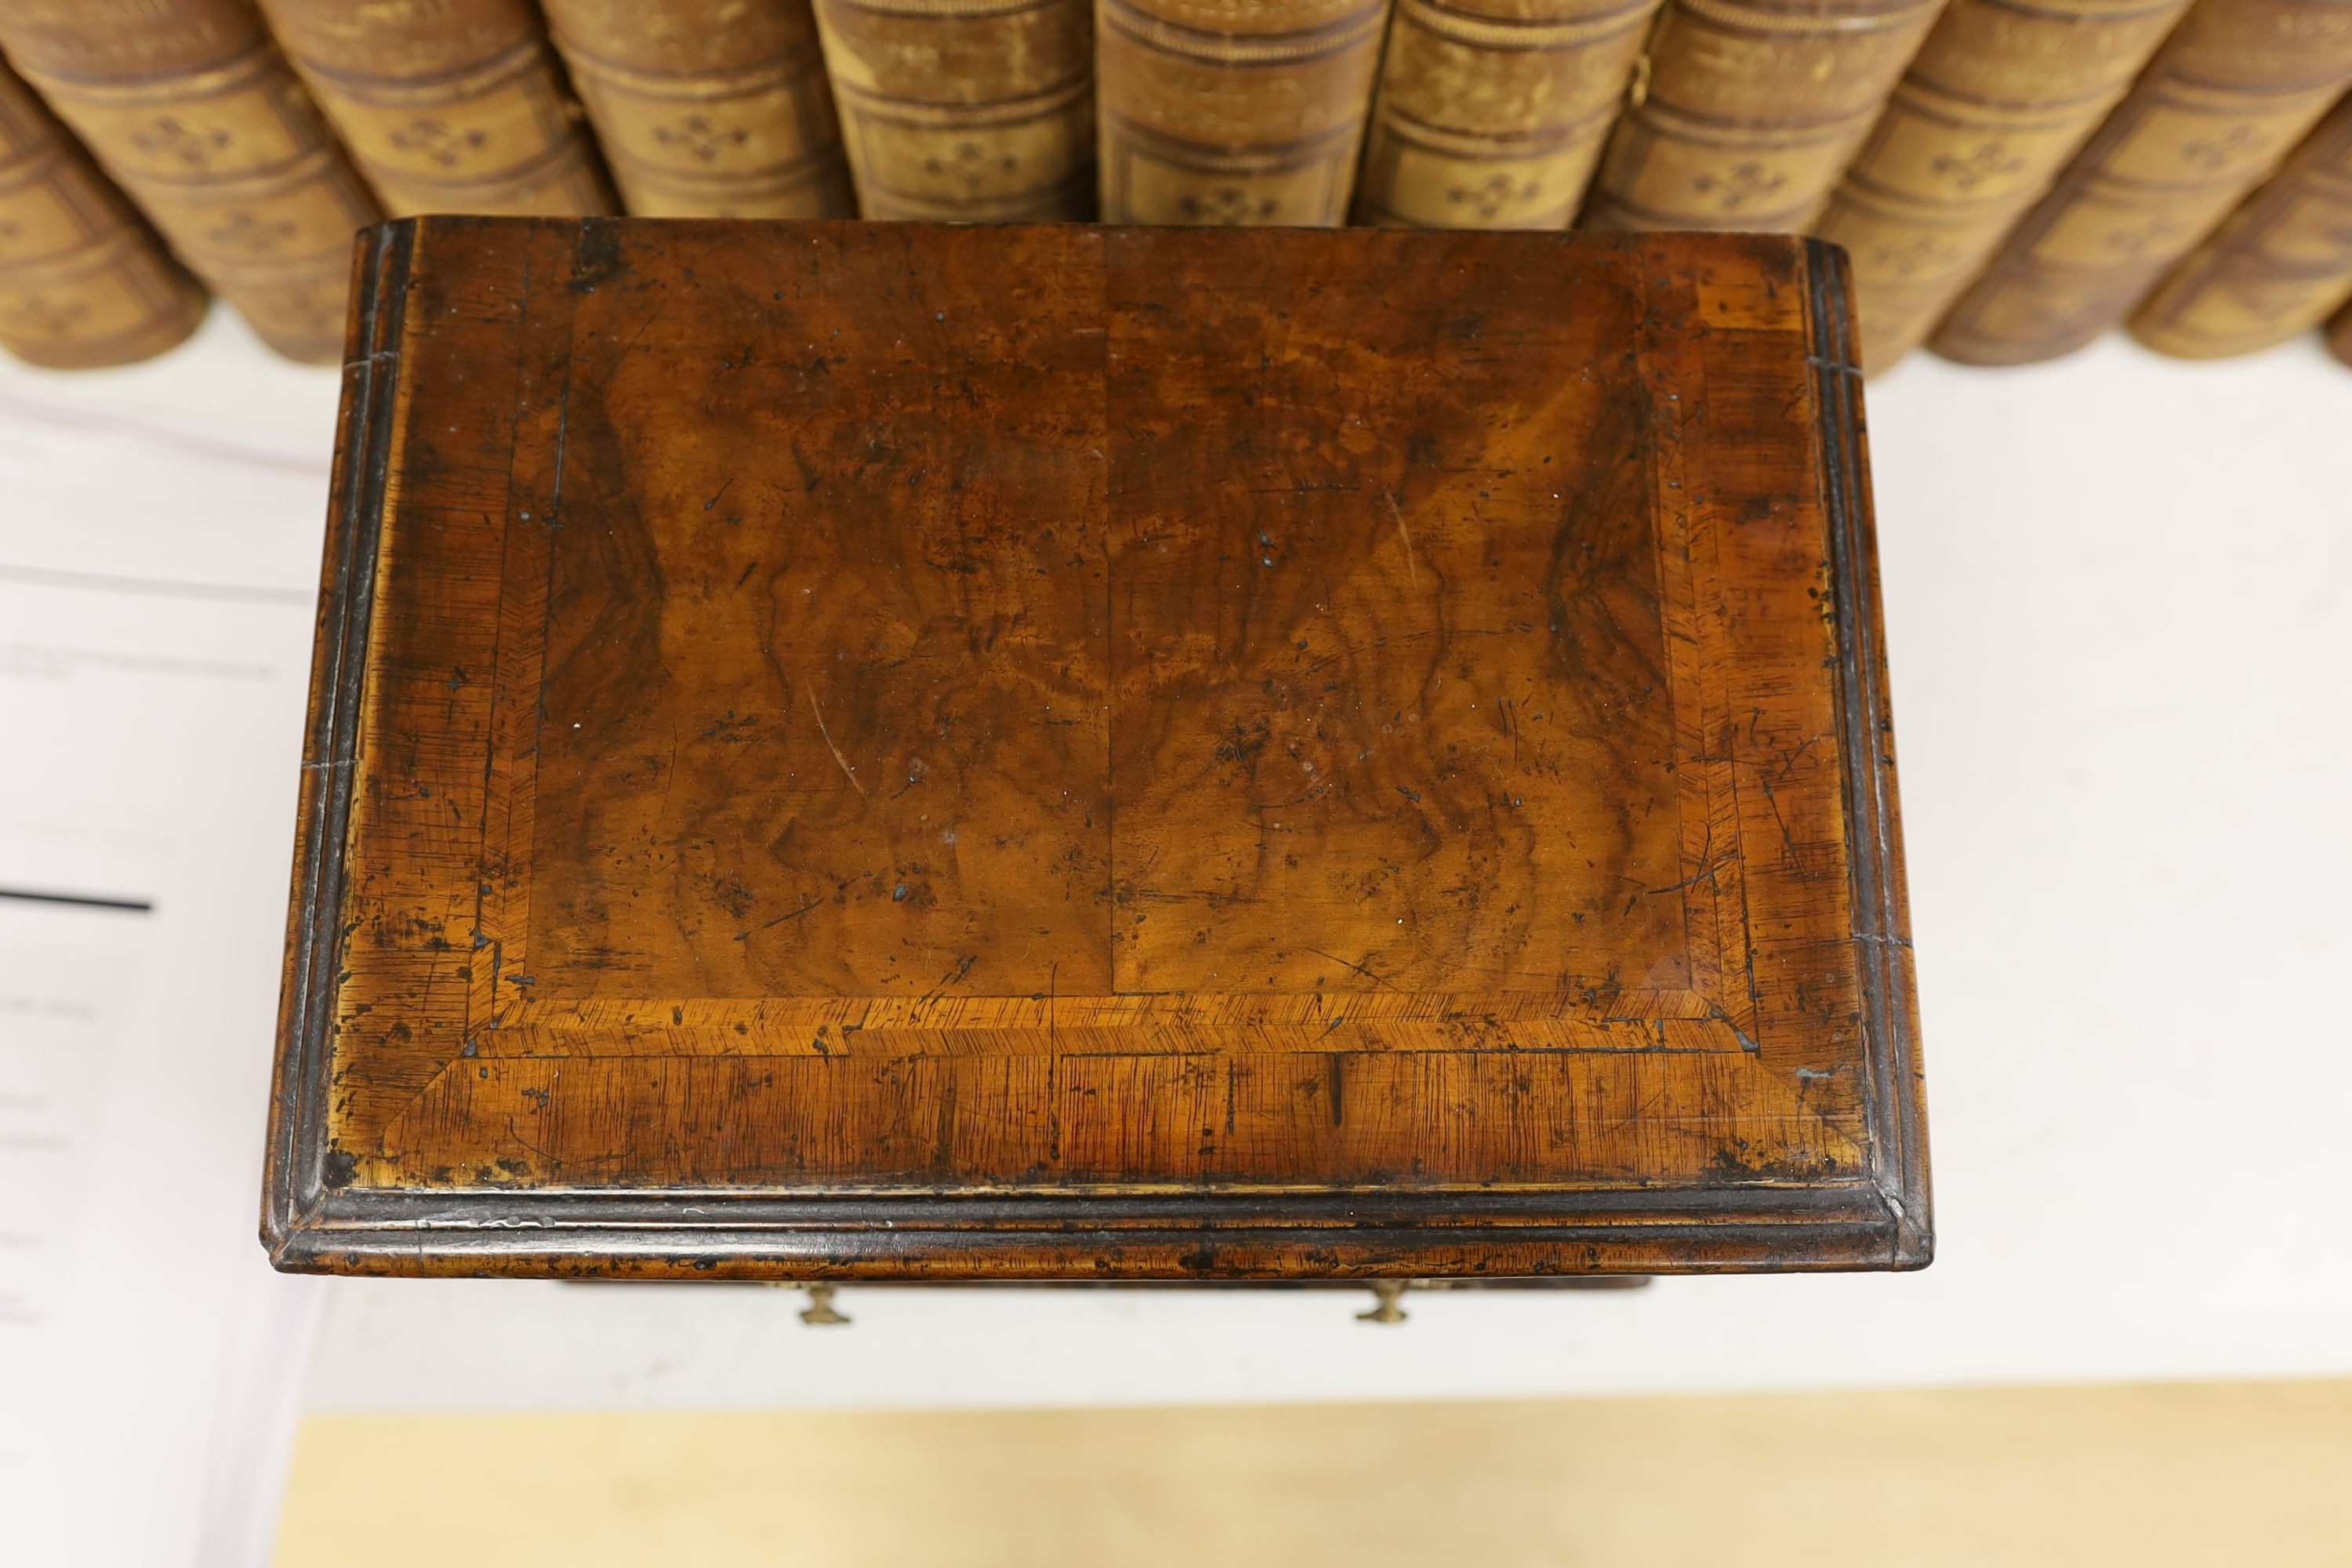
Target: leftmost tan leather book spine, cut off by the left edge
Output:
[(83, 281)]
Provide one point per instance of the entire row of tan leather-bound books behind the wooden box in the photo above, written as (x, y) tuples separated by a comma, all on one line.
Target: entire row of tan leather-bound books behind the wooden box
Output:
[(2012, 177)]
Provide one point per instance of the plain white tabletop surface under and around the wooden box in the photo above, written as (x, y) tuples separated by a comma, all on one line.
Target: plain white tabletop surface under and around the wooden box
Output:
[(2120, 622)]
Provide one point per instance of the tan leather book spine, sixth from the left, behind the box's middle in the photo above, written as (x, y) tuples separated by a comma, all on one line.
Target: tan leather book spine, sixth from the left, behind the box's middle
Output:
[(1236, 112)]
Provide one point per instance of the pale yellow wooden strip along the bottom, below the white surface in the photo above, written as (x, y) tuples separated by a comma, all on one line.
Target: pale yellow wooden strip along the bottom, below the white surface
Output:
[(2250, 1473)]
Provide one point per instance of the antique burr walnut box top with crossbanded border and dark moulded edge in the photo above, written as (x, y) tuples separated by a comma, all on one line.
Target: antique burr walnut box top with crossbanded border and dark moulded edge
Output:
[(911, 751)]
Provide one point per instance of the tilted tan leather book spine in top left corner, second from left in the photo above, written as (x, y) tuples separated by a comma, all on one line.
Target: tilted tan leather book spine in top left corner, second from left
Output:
[(196, 114)]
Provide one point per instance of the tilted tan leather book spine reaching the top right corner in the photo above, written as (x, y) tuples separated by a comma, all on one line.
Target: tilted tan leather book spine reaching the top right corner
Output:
[(2221, 102)]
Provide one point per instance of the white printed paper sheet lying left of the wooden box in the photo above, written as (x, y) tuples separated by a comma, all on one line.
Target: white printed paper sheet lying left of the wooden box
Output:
[(154, 652)]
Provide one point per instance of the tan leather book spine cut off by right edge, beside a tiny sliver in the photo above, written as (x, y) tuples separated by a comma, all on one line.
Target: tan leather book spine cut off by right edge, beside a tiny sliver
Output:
[(2280, 267)]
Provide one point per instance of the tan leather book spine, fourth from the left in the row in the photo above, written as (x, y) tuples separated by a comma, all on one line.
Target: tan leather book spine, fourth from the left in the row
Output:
[(709, 109)]
